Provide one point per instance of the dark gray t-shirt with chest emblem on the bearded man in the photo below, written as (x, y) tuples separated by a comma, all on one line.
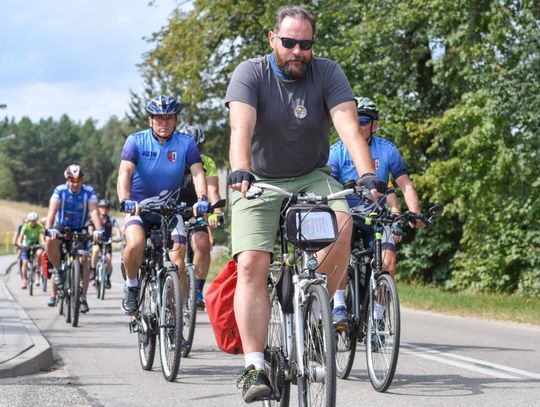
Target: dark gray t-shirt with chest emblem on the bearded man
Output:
[(293, 118)]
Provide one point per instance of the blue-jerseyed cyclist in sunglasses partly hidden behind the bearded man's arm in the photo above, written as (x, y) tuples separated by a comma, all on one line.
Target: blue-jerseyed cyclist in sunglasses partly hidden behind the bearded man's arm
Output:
[(387, 161)]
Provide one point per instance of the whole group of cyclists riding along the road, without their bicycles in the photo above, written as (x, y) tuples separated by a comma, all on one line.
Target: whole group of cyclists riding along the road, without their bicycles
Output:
[(280, 109)]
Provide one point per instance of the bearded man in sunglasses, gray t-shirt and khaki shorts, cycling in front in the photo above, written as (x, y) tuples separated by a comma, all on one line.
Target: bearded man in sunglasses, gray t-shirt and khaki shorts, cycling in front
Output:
[(280, 107)]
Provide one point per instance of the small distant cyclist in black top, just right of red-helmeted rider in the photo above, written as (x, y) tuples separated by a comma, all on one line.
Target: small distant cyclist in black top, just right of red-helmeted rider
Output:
[(110, 230)]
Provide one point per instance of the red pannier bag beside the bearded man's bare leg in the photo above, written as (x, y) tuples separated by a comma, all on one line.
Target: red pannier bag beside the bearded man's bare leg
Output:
[(219, 301)]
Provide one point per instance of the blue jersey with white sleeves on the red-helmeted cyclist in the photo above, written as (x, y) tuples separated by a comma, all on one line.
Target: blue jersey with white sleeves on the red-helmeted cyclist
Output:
[(73, 211)]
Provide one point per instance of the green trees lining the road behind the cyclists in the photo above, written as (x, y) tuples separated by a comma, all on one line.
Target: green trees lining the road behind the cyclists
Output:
[(457, 83)]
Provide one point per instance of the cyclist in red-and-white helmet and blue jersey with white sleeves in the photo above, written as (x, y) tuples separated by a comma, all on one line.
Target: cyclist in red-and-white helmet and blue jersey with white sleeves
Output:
[(70, 206)]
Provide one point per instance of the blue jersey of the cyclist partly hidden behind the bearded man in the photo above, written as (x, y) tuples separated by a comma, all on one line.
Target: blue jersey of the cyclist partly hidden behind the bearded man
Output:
[(386, 159)]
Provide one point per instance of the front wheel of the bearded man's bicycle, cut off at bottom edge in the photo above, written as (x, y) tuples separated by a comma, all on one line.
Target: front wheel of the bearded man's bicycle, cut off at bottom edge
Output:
[(318, 386)]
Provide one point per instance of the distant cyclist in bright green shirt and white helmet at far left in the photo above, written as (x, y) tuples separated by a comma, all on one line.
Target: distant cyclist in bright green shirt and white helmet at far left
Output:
[(32, 232)]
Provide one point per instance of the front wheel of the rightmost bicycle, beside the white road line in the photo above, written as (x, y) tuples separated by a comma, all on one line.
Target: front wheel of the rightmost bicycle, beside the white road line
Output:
[(382, 342)]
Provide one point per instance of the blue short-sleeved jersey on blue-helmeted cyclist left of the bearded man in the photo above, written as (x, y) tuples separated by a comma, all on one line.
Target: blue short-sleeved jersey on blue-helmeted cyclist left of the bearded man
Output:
[(159, 171)]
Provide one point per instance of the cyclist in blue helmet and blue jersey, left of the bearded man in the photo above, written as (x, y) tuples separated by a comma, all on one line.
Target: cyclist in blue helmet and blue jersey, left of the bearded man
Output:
[(151, 170)]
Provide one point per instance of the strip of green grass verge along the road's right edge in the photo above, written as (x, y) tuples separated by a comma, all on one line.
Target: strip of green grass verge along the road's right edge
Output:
[(486, 306)]
